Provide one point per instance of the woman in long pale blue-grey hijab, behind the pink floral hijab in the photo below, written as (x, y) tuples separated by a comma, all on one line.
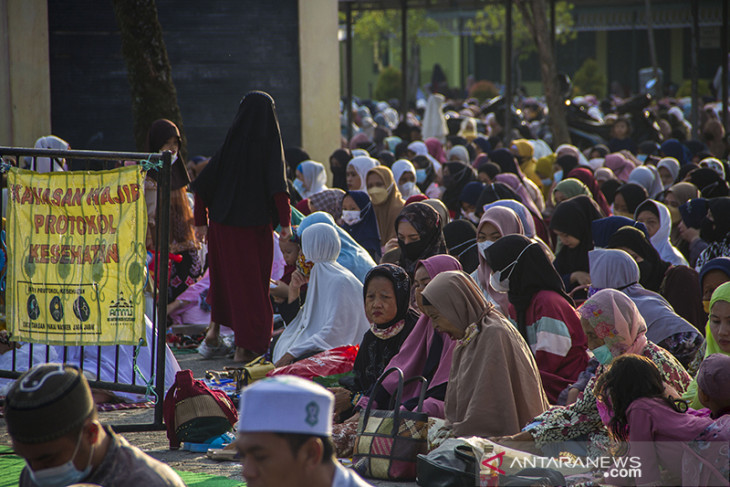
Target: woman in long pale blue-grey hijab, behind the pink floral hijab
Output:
[(616, 269)]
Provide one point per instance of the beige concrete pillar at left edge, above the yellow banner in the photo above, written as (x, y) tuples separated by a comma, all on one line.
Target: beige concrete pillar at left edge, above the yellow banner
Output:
[(25, 84)]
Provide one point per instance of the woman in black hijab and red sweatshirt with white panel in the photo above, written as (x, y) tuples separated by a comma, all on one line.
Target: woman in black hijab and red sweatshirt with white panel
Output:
[(542, 310)]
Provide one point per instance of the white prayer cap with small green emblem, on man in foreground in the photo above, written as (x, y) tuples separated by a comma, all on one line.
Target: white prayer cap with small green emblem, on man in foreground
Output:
[(286, 404)]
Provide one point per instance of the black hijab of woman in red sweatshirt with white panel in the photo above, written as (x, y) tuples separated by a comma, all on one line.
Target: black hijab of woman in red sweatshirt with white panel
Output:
[(533, 272)]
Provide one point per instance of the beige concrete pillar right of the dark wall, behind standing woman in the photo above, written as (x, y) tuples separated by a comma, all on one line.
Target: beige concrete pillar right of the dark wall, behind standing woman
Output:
[(319, 63)]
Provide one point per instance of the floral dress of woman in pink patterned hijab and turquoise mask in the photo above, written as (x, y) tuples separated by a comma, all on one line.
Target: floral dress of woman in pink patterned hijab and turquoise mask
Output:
[(581, 419)]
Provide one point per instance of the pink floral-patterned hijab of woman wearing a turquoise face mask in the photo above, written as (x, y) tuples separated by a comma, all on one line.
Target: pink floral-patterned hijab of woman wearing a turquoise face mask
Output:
[(615, 318)]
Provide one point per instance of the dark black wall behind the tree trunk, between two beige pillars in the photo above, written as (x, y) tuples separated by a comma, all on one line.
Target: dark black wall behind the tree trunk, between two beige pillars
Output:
[(218, 51)]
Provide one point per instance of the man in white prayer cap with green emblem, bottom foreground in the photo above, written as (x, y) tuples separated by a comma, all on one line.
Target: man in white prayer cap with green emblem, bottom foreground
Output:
[(284, 436)]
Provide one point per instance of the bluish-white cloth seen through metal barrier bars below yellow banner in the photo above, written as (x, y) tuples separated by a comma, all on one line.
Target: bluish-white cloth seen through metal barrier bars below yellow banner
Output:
[(126, 358)]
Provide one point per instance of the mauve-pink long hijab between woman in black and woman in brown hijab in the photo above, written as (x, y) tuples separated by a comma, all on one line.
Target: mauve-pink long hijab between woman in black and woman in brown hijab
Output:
[(411, 358)]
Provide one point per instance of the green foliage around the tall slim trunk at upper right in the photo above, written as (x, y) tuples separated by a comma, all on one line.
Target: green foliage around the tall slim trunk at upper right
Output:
[(488, 27)]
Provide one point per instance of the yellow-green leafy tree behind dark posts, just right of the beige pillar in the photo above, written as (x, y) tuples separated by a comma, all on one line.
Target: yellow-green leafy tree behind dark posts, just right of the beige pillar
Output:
[(382, 28)]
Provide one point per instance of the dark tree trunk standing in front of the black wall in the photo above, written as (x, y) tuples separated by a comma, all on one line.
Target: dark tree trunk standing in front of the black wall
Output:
[(148, 68)]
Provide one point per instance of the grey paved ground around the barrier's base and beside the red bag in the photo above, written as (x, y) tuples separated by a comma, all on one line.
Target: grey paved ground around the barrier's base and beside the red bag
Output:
[(156, 444)]
